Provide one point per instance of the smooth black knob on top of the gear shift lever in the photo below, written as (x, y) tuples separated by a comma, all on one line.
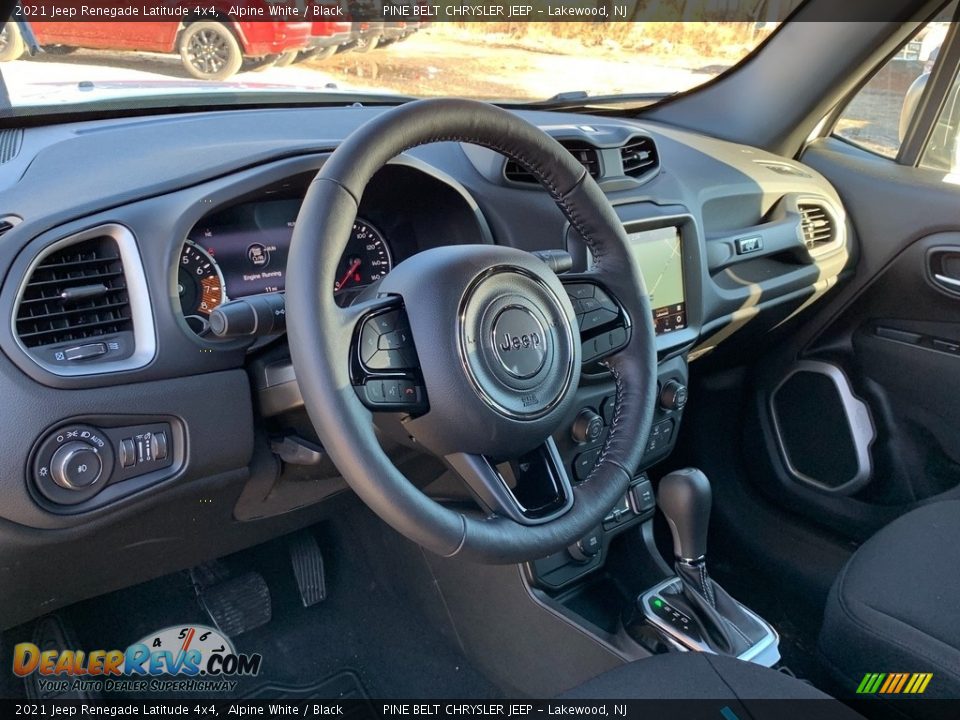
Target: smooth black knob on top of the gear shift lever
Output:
[(684, 499)]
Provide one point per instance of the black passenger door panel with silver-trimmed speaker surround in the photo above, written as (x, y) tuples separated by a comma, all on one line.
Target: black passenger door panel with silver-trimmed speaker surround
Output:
[(892, 337)]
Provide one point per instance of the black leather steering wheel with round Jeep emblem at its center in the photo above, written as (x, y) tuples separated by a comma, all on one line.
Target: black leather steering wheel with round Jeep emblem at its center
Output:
[(475, 349)]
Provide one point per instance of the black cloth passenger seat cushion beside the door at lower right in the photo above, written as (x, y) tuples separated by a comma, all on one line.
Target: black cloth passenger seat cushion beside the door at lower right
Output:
[(895, 607)]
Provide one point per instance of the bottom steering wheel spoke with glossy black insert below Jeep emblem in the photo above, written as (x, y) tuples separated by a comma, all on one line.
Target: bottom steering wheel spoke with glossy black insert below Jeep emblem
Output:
[(531, 490)]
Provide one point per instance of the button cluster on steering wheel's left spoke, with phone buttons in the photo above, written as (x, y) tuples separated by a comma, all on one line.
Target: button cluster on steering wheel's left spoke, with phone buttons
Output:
[(384, 367)]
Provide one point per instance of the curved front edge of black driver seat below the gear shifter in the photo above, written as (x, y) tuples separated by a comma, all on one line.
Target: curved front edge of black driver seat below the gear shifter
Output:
[(697, 676)]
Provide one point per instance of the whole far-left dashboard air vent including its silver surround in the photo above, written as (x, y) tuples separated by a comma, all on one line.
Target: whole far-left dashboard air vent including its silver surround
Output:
[(83, 307)]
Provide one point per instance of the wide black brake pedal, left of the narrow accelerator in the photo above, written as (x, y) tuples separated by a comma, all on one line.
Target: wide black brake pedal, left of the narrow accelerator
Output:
[(235, 605)]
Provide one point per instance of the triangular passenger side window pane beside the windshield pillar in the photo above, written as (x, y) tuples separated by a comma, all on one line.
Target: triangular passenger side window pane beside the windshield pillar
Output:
[(879, 115)]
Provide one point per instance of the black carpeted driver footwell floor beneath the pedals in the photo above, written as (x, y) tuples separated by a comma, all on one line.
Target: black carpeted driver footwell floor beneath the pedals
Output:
[(389, 647)]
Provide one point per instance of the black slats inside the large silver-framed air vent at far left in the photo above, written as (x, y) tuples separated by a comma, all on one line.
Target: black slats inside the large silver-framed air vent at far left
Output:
[(75, 293)]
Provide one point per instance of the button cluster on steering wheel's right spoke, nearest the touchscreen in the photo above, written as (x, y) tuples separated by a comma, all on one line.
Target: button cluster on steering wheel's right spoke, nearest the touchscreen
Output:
[(605, 326)]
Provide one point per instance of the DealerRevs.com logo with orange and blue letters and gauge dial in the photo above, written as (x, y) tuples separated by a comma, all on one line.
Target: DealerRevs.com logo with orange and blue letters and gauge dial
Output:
[(179, 658)]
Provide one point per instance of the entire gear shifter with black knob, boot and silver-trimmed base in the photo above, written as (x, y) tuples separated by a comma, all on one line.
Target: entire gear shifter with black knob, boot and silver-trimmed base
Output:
[(693, 608)]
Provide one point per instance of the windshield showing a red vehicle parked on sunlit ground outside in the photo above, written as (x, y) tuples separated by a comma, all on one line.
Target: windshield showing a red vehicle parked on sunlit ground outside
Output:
[(112, 61)]
